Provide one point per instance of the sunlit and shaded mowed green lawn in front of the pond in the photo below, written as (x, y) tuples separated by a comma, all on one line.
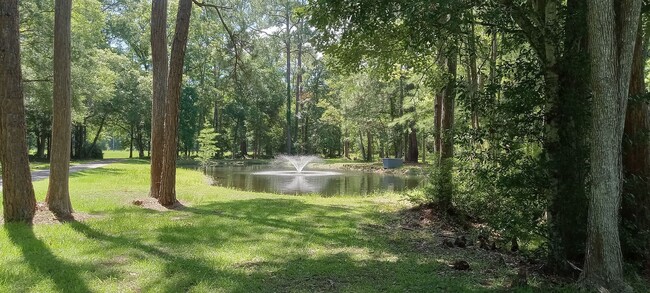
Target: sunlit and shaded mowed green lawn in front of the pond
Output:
[(230, 241)]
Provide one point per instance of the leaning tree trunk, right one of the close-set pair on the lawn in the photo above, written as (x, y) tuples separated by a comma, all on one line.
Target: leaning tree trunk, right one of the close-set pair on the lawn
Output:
[(168, 184)]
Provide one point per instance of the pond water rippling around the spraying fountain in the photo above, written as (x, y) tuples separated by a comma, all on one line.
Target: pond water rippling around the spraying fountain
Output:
[(324, 182)]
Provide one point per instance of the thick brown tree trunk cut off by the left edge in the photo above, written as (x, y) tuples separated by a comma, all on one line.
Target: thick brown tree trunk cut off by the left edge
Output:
[(19, 202)]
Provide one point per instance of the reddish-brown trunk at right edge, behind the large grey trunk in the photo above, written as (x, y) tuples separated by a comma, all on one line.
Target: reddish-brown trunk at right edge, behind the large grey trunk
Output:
[(636, 163)]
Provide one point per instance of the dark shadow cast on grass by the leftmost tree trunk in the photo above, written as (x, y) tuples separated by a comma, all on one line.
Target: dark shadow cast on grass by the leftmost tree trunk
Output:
[(65, 276)]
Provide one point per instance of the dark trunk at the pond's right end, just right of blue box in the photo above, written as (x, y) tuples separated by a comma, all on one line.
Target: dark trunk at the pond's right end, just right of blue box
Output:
[(446, 159)]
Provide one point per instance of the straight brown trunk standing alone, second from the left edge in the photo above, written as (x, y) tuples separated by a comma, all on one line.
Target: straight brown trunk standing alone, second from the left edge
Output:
[(58, 194)]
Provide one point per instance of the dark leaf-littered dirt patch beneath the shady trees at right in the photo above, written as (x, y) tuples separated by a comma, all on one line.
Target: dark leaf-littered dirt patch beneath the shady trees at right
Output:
[(465, 246)]
